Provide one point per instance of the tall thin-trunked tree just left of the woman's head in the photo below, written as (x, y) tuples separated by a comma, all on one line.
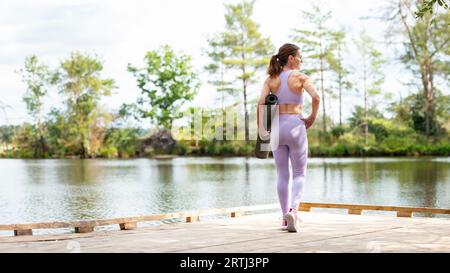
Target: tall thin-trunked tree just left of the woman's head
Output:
[(245, 50)]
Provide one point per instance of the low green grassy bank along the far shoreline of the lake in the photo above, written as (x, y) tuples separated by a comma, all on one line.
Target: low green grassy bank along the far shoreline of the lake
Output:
[(240, 148)]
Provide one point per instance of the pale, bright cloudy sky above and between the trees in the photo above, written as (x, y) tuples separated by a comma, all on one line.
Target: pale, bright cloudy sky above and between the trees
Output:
[(121, 32)]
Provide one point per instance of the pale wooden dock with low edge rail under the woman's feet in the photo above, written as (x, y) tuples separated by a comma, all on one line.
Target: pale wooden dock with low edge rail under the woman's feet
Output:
[(319, 232)]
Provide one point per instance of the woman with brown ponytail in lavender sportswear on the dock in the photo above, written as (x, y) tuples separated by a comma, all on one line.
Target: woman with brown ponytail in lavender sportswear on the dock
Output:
[(288, 84)]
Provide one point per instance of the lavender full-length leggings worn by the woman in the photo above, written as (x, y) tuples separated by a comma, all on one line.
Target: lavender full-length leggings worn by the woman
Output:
[(292, 144)]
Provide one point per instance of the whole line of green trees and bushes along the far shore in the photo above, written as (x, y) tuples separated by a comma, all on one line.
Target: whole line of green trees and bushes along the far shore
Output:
[(378, 125)]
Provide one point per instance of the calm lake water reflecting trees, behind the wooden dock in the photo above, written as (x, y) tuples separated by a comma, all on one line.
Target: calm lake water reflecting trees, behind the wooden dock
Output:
[(59, 189)]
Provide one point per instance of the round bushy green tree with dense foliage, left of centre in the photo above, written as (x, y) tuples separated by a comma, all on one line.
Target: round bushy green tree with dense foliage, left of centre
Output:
[(166, 82)]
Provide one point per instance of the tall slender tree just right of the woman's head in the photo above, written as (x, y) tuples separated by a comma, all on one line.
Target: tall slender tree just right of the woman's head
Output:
[(317, 48)]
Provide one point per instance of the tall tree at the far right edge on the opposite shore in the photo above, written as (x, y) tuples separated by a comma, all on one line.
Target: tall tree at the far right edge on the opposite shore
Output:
[(426, 50)]
